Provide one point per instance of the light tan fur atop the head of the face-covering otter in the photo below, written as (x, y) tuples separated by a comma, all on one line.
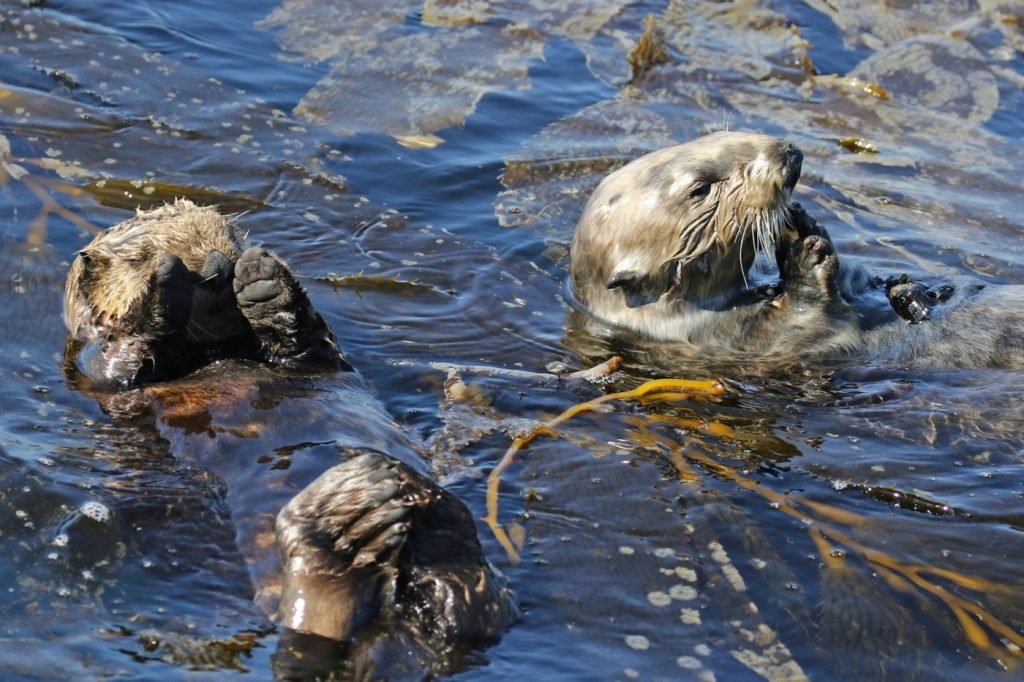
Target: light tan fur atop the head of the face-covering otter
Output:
[(121, 262)]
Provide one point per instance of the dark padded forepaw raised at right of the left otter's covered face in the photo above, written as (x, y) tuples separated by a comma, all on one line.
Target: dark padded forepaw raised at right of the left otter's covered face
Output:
[(290, 331)]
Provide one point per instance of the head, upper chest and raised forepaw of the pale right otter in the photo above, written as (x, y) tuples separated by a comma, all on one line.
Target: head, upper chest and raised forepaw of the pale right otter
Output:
[(665, 244)]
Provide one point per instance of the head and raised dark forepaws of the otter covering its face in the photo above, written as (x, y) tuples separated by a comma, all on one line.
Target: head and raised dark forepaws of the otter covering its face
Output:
[(159, 295)]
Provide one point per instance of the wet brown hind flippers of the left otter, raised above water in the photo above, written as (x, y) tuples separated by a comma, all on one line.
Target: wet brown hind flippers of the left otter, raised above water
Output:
[(373, 540)]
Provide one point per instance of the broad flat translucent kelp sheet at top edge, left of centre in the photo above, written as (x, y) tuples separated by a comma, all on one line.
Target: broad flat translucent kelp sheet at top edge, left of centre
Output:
[(412, 84)]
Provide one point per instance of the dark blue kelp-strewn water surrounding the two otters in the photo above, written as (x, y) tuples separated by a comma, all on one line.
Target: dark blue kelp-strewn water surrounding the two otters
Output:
[(874, 516)]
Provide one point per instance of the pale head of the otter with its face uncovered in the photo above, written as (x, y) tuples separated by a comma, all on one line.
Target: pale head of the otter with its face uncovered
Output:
[(665, 243)]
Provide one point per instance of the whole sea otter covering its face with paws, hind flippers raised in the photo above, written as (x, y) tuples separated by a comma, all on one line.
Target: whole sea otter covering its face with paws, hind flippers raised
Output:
[(365, 537)]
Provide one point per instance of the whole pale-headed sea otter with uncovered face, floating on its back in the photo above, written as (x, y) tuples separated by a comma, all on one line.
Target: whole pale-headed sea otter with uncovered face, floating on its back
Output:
[(664, 248)]
